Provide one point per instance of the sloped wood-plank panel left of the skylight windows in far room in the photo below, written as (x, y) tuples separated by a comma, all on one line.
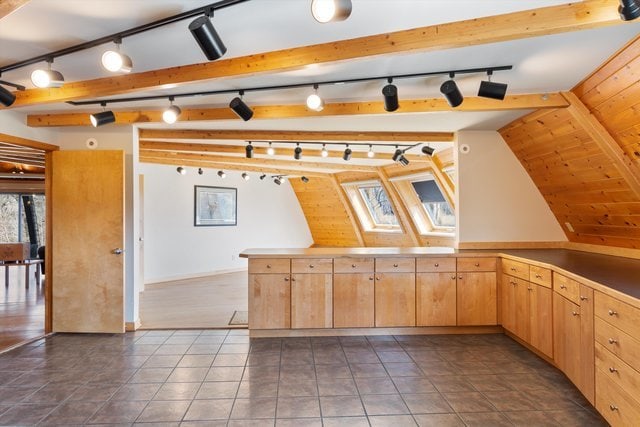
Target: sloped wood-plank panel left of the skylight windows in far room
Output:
[(325, 212)]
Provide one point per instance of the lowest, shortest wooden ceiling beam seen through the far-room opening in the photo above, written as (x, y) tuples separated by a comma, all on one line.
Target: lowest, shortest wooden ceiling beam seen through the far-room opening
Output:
[(255, 161)]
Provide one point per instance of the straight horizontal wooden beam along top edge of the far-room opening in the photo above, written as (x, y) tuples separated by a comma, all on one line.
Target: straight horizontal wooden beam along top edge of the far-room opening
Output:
[(296, 135)]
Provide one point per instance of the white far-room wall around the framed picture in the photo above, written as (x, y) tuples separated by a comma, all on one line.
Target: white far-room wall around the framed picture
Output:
[(269, 216)]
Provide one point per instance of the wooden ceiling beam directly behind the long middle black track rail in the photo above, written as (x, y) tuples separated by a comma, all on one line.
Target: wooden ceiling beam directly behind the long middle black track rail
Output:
[(432, 105)]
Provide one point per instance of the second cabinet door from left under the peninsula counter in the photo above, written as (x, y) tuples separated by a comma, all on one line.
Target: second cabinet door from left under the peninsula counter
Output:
[(311, 301)]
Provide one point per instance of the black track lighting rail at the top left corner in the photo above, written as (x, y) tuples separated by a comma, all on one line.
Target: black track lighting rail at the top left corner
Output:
[(204, 10)]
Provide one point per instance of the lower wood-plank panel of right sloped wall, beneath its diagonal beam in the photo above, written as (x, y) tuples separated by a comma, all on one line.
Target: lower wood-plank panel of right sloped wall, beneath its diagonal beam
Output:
[(577, 179)]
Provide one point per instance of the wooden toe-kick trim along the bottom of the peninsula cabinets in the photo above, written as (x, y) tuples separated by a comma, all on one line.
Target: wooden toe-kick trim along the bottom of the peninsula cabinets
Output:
[(345, 332)]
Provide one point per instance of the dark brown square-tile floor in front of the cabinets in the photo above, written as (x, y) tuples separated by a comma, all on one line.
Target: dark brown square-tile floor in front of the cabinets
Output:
[(222, 378)]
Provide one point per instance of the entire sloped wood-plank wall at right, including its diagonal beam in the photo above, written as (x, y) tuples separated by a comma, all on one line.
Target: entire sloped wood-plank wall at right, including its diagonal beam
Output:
[(585, 159)]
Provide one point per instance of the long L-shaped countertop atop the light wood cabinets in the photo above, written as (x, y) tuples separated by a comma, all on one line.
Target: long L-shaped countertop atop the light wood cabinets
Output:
[(617, 273)]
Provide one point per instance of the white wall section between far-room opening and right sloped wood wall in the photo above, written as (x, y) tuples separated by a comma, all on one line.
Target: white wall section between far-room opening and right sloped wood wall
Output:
[(497, 200)]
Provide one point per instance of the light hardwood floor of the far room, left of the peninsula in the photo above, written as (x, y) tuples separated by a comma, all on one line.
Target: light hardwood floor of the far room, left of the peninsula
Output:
[(205, 302)]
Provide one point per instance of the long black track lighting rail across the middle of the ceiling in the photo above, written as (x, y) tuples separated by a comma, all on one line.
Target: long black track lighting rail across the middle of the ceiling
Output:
[(294, 86)]
